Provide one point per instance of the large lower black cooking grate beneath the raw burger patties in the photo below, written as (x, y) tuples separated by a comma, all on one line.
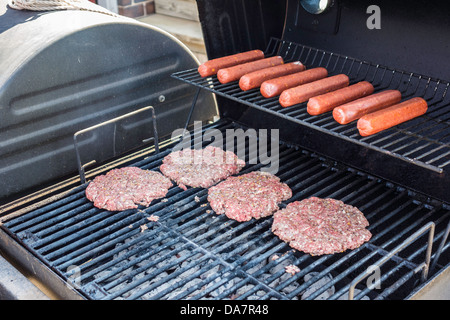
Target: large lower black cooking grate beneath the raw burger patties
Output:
[(192, 253)]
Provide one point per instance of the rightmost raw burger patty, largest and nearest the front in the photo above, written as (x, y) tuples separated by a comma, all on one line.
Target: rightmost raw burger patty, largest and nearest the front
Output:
[(321, 226)]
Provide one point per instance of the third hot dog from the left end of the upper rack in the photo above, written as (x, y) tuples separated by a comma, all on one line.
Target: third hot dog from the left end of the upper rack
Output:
[(256, 78)]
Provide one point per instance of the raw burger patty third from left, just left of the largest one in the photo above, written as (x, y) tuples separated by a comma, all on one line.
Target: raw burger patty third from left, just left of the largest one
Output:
[(252, 195)]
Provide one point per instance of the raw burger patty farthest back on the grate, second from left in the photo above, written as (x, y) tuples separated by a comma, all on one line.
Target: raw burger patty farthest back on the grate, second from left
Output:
[(200, 168)]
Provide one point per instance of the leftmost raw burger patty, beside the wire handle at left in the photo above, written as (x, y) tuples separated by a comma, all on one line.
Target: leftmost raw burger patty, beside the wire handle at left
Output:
[(125, 188)]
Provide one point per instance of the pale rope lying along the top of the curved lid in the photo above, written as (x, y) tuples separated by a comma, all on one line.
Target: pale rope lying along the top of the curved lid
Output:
[(46, 5)]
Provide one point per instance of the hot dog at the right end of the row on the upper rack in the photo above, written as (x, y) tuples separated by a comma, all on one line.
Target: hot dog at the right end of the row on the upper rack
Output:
[(391, 116)]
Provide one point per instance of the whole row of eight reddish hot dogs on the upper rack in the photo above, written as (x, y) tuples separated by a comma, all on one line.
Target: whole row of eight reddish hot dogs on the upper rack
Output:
[(294, 84)]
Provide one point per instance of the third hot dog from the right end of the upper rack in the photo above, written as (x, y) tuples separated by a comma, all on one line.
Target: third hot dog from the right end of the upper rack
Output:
[(328, 101)]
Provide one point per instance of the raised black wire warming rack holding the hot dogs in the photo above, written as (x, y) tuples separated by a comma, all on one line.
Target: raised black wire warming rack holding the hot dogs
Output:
[(424, 141)]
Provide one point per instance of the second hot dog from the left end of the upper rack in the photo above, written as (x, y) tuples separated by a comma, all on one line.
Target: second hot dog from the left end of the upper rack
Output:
[(236, 72)]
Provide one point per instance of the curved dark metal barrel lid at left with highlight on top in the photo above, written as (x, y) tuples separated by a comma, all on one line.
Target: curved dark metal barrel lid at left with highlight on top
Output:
[(63, 71)]
